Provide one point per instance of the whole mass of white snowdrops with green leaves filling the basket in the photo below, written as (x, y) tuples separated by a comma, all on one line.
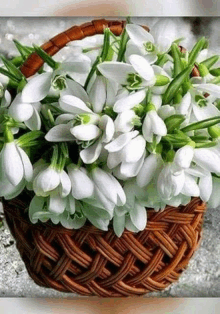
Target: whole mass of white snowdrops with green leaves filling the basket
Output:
[(123, 124)]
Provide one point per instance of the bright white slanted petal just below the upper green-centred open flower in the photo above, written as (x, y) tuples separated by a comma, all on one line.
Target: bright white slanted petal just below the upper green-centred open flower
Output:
[(129, 102)]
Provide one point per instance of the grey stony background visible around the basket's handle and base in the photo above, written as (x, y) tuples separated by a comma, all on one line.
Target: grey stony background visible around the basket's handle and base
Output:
[(202, 277)]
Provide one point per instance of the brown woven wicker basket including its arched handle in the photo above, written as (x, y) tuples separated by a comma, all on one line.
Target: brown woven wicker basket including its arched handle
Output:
[(90, 261)]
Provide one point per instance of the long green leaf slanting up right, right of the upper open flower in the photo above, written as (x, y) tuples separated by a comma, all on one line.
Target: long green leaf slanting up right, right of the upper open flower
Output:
[(175, 85)]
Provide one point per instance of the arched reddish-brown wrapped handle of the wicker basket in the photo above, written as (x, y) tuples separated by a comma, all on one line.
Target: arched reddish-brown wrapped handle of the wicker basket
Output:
[(34, 61)]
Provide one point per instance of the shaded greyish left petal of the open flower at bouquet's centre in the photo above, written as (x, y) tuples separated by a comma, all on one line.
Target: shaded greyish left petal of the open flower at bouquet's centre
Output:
[(59, 133)]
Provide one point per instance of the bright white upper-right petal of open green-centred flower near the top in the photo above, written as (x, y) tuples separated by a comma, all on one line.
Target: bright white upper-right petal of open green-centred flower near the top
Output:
[(142, 66)]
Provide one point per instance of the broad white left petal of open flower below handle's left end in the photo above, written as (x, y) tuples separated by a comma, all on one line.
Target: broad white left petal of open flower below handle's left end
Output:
[(37, 88)]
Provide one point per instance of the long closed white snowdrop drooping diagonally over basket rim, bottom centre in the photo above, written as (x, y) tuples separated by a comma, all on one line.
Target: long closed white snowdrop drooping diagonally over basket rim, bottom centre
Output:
[(107, 190)]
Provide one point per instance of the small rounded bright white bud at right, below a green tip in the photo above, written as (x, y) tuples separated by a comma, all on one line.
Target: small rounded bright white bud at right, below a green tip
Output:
[(184, 156)]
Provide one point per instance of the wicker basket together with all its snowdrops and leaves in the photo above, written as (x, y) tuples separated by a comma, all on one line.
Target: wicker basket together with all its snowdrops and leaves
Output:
[(108, 155)]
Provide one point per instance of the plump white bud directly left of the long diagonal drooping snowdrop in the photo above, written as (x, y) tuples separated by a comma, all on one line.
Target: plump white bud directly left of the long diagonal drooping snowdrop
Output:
[(82, 185)]
